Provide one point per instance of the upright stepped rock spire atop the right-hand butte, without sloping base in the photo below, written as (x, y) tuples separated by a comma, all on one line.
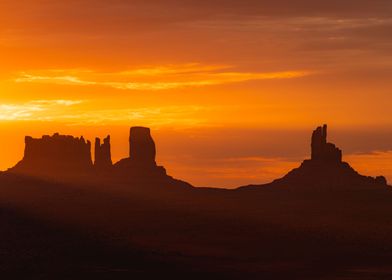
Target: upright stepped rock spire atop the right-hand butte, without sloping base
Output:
[(321, 149)]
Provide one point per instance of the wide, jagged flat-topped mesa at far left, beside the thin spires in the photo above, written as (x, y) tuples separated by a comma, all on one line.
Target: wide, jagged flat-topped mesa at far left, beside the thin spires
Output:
[(53, 156)]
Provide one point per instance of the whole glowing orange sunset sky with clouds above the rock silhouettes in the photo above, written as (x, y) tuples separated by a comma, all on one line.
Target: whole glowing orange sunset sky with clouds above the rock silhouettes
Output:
[(231, 89)]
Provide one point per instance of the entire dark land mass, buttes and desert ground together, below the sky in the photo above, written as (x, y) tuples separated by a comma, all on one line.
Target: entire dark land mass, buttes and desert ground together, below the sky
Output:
[(129, 220)]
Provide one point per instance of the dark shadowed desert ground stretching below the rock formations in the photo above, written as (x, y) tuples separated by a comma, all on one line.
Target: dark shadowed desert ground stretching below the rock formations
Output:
[(57, 231)]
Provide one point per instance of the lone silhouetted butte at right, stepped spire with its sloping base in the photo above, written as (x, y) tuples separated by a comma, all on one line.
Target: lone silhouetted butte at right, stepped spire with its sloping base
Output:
[(326, 170)]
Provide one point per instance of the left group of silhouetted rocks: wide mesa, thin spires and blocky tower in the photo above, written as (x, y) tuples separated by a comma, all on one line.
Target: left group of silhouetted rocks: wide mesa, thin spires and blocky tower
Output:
[(66, 157)]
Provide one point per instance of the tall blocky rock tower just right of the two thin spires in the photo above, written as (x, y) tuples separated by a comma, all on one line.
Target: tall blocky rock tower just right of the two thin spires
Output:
[(141, 146)]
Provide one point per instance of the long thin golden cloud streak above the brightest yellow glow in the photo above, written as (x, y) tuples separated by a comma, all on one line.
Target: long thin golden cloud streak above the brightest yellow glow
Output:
[(156, 78)]
